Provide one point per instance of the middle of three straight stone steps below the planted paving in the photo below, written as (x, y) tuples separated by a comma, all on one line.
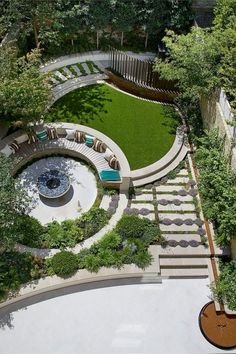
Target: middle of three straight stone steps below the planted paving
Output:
[(188, 262)]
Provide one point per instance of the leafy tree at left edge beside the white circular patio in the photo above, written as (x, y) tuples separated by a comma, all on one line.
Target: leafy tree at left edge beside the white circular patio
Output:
[(13, 204)]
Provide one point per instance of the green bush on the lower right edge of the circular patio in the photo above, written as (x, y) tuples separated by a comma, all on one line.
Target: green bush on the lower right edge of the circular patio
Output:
[(92, 221)]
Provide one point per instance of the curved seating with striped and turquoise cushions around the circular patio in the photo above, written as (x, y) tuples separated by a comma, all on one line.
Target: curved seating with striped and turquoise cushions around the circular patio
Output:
[(63, 142)]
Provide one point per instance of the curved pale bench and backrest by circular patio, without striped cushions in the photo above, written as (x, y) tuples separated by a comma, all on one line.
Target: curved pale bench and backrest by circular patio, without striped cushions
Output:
[(28, 152)]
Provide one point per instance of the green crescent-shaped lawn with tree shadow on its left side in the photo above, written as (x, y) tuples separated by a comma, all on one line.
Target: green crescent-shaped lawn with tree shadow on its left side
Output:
[(145, 131)]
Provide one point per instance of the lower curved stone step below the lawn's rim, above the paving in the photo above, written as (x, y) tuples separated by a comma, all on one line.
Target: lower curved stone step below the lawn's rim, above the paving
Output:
[(162, 173)]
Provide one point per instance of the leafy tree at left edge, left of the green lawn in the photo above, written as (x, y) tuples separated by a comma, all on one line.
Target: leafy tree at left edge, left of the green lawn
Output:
[(24, 92)]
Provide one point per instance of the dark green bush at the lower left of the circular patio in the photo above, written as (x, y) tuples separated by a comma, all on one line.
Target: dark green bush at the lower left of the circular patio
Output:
[(29, 230)]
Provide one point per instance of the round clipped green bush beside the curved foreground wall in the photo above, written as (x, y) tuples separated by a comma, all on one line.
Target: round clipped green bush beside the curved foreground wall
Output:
[(64, 263)]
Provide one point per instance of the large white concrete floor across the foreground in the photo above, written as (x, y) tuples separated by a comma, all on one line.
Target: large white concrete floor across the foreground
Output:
[(144, 318)]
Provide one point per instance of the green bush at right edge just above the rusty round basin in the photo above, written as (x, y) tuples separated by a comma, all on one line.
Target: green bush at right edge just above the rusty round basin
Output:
[(225, 289)]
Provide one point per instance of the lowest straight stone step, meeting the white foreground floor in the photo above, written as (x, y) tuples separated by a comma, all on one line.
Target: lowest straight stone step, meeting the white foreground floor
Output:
[(185, 272)]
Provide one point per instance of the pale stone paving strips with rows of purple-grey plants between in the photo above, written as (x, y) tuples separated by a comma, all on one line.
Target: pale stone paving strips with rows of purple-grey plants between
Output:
[(172, 202)]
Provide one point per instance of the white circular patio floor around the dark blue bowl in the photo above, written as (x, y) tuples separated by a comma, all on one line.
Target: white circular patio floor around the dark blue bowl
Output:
[(78, 199)]
